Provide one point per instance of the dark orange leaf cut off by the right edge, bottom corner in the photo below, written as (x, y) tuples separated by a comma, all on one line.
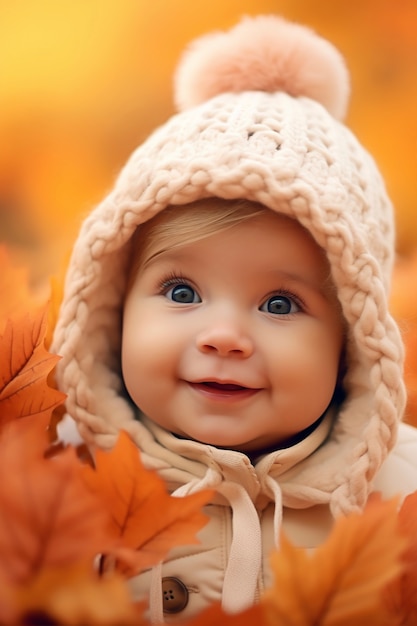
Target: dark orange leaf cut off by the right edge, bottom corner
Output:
[(400, 596)]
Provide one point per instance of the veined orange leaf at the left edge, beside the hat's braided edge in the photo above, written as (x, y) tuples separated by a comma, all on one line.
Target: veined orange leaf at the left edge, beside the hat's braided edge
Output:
[(24, 369)]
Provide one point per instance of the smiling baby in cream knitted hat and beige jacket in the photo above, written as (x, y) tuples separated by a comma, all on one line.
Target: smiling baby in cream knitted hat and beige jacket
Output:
[(226, 305)]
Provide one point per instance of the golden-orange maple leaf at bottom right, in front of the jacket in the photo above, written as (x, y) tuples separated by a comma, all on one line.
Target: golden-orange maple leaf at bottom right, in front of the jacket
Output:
[(341, 582)]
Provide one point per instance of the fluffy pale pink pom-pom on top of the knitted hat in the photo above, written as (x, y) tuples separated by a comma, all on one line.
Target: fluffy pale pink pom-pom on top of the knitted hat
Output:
[(263, 53)]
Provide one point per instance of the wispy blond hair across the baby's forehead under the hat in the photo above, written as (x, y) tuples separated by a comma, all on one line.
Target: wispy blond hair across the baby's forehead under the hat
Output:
[(185, 224)]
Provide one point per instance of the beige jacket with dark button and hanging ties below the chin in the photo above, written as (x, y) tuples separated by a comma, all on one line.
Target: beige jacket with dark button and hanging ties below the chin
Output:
[(253, 504)]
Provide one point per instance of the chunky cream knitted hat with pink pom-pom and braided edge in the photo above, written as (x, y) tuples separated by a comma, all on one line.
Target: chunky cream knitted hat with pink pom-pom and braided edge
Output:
[(260, 109)]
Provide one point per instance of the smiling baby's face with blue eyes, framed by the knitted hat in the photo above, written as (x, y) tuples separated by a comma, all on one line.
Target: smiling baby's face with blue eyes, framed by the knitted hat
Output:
[(235, 339)]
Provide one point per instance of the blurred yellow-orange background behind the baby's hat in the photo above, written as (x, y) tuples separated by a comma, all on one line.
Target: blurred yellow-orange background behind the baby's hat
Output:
[(83, 82)]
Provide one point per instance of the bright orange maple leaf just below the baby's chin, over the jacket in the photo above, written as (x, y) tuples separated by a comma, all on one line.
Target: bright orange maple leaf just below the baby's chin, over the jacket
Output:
[(144, 516)]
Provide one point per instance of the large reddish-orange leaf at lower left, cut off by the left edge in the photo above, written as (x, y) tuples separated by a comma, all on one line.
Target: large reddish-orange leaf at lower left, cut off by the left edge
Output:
[(48, 517)]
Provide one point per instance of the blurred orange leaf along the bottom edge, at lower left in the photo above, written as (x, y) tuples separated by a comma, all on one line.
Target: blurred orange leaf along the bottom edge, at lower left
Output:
[(74, 595)]
